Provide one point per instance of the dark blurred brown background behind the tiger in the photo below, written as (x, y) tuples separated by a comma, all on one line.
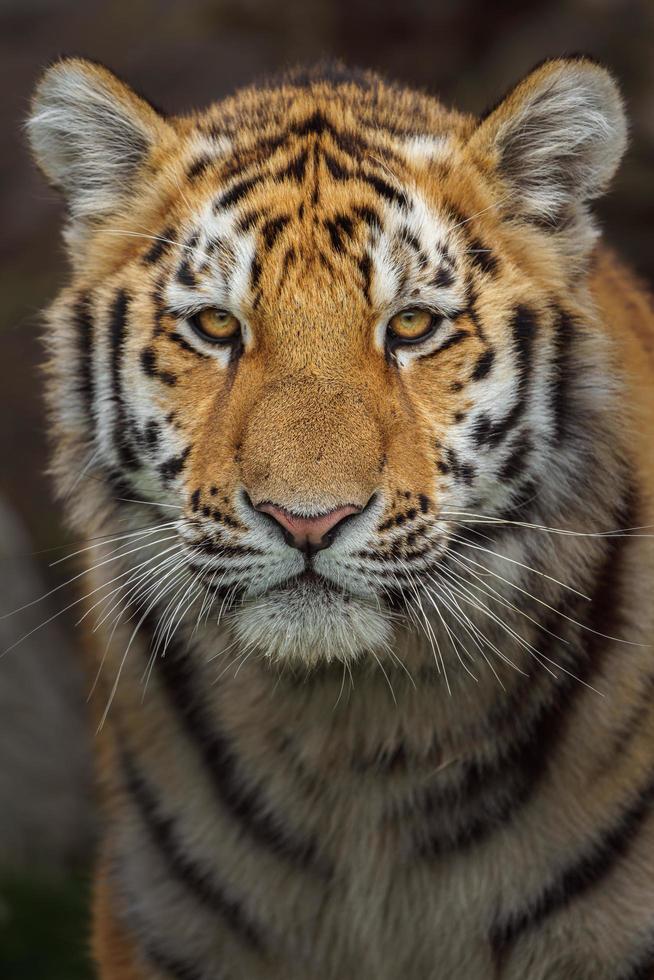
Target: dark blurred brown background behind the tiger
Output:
[(182, 55)]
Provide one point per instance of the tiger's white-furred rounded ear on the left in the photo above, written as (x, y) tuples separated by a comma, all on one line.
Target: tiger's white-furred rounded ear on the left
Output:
[(91, 135)]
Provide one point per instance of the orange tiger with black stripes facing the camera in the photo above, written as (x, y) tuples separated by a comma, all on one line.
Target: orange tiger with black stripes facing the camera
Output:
[(352, 410)]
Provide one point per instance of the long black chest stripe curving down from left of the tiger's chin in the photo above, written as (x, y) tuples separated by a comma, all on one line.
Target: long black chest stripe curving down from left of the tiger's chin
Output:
[(245, 802)]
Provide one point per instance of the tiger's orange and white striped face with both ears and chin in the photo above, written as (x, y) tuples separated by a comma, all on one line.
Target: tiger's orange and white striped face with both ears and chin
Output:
[(319, 324)]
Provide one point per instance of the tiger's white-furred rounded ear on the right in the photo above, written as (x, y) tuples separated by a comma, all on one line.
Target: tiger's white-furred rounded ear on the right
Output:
[(556, 140)]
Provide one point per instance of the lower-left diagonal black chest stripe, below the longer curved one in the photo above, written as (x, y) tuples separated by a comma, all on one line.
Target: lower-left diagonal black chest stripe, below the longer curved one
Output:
[(164, 836)]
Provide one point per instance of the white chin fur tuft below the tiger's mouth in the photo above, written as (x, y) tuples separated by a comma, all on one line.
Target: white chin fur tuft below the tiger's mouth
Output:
[(309, 625)]
